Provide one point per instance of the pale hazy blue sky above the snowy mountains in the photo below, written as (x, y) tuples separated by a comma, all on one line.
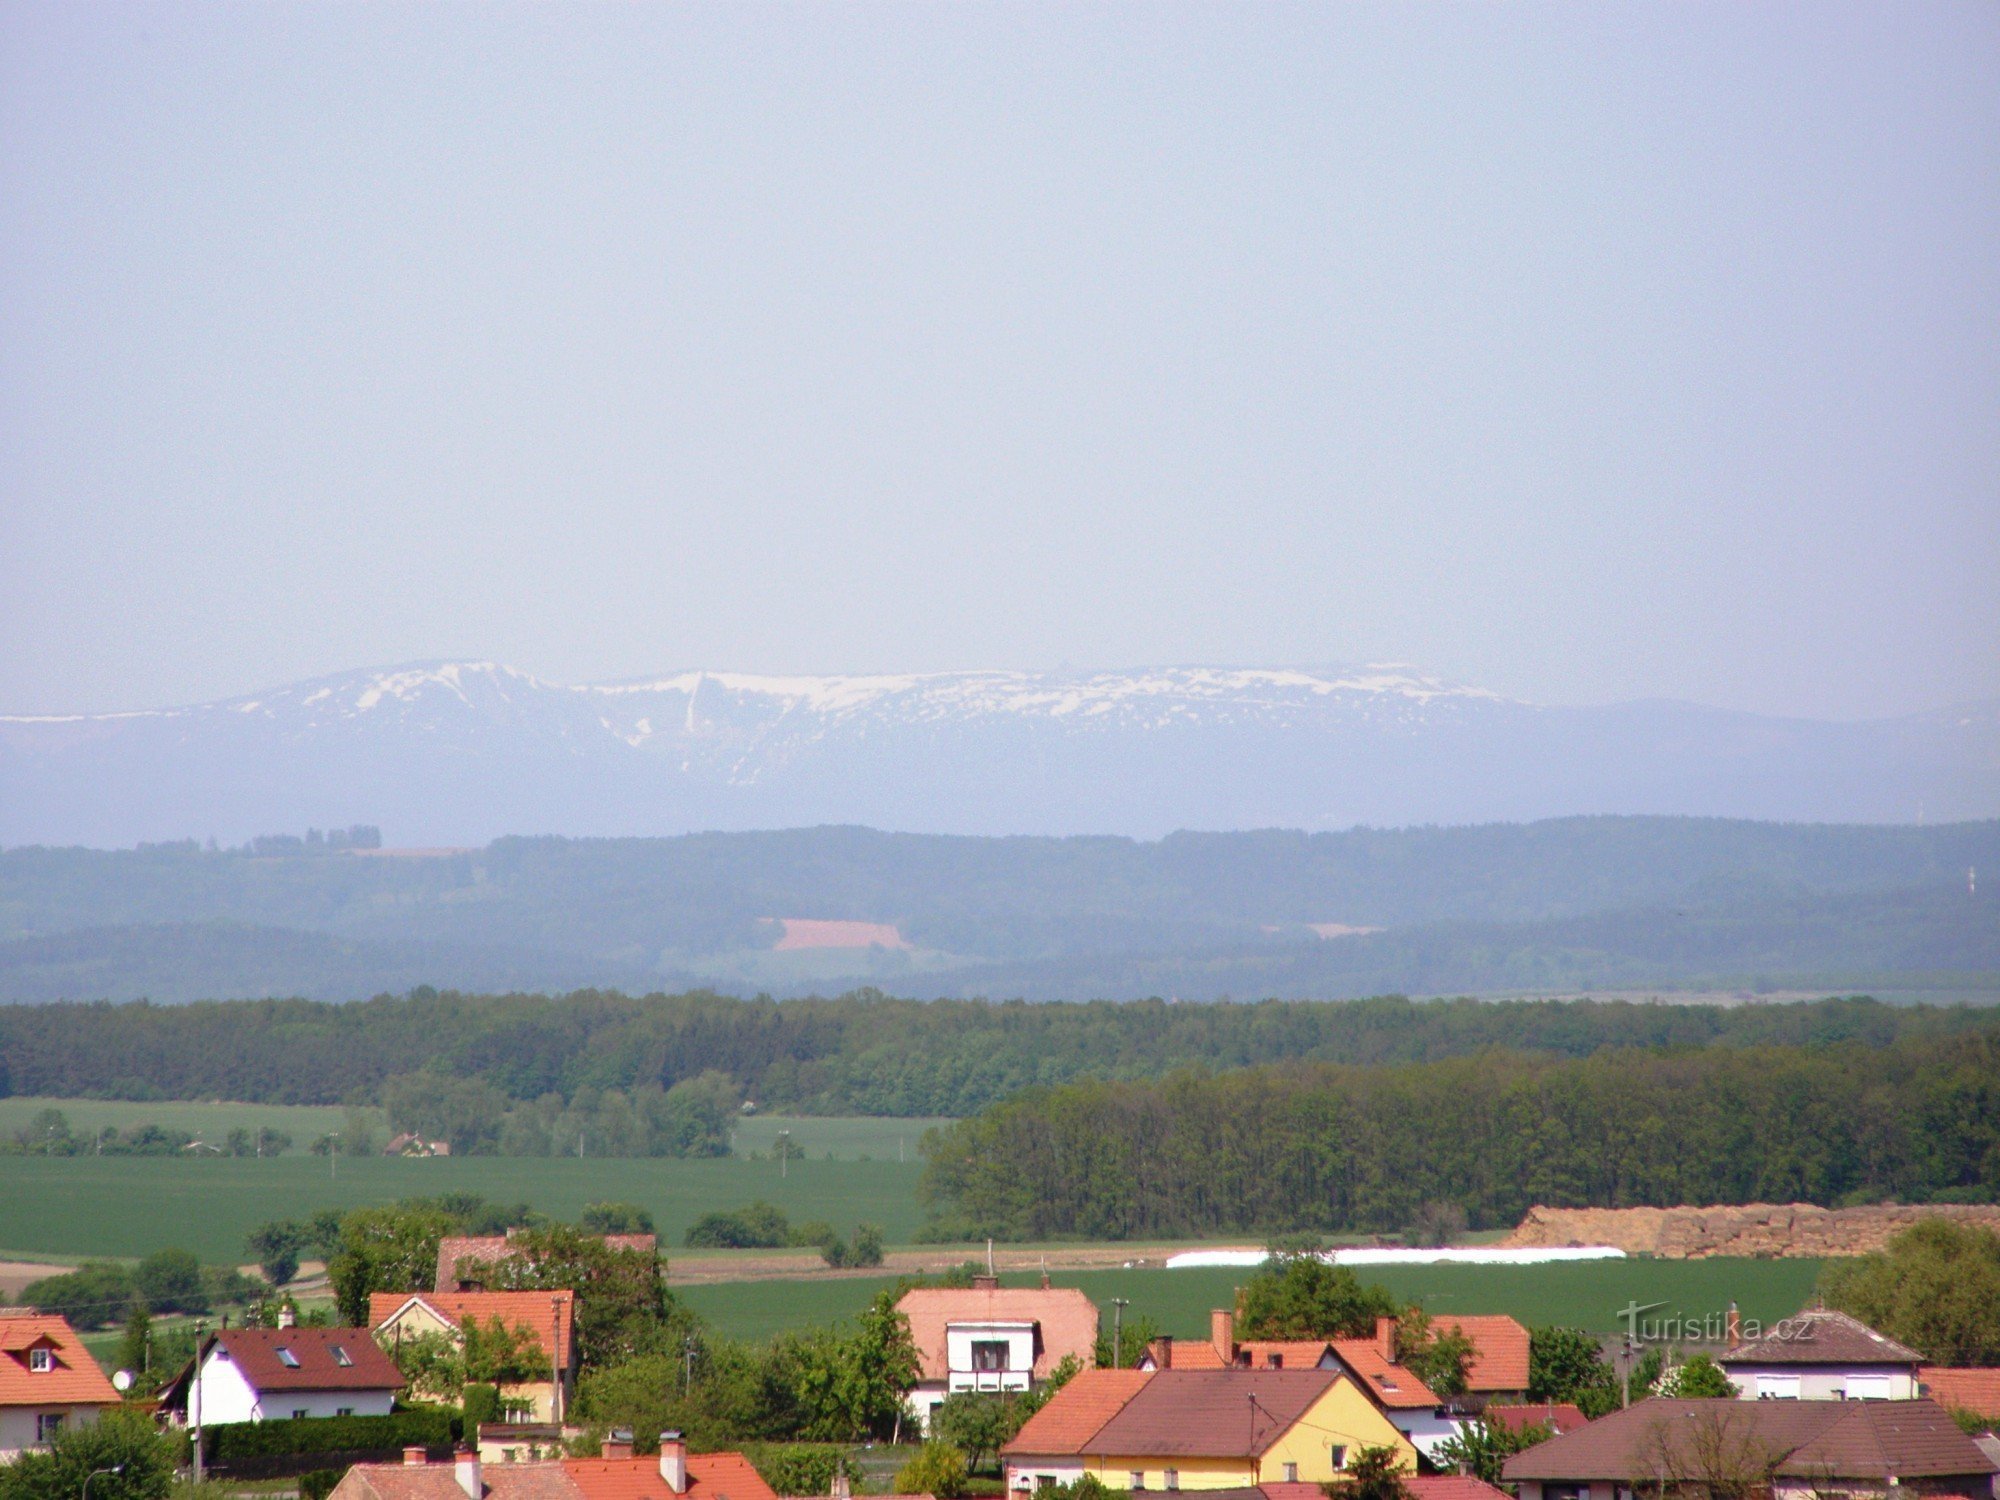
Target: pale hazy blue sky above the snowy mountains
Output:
[(1581, 353)]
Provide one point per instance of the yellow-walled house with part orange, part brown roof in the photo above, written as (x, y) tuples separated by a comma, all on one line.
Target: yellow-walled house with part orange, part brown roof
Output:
[(1201, 1431)]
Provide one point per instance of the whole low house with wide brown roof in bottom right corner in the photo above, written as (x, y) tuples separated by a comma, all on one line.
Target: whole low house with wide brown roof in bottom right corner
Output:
[(1785, 1449)]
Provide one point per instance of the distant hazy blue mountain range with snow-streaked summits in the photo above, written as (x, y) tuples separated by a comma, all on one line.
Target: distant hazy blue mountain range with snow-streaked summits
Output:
[(459, 753)]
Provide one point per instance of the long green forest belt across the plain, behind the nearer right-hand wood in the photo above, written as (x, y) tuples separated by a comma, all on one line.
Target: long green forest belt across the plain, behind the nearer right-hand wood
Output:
[(859, 1055)]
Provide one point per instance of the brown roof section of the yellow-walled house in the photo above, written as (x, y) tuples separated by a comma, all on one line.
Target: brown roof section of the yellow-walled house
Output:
[(1211, 1413)]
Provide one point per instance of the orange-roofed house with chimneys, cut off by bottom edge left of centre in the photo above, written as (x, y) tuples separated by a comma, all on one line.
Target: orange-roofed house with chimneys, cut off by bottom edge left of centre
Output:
[(615, 1475)]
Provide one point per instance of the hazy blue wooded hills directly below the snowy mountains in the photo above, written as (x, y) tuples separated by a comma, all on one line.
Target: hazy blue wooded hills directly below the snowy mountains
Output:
[(1555, 907)]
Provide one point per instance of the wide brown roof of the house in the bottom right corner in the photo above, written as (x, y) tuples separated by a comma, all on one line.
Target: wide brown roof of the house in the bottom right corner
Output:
[(1799, 1439)]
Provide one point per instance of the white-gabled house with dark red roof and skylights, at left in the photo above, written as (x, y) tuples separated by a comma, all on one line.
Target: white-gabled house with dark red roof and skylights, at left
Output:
[(273, 1375)]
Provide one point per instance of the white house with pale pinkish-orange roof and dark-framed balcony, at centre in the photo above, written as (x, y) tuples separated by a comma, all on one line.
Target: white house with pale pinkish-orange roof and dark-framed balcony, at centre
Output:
[(993, 1339)]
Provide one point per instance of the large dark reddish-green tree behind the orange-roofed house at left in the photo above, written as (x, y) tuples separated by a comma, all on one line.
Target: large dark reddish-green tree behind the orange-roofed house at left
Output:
[(623, 1305)]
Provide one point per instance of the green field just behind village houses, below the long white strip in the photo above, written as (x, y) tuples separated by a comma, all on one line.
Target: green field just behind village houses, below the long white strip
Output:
[(1583, 1295)]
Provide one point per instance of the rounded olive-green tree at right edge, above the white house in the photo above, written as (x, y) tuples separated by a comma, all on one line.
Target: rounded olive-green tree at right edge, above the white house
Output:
[(1935, 1287)]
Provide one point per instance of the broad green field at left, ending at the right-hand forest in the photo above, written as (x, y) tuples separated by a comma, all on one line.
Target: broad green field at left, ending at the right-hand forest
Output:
[(69, 1207)]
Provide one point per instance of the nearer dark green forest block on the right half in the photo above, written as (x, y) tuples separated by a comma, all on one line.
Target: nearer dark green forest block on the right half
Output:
[(1325, 1147)]
